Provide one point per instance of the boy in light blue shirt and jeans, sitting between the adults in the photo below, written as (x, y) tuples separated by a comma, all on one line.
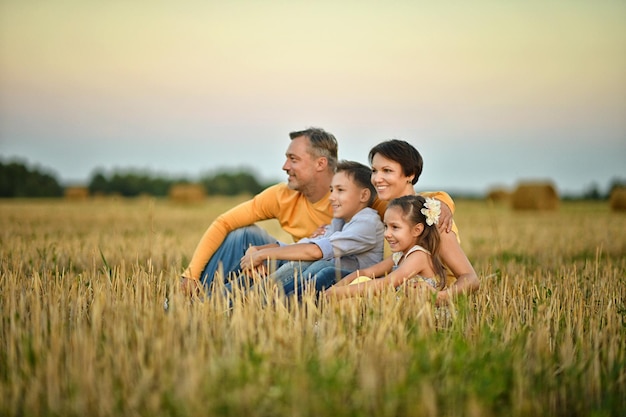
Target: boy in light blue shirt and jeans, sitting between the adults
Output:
[(354, 239)]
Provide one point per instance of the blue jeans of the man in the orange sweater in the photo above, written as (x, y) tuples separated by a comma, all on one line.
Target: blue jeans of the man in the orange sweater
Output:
[(229, 254)]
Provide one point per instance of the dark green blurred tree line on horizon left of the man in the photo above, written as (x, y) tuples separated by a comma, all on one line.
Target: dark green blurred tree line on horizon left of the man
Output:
[(17, 180)]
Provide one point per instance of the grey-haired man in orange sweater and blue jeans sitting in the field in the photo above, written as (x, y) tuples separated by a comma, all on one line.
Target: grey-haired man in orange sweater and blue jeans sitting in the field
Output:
[(301, 206)]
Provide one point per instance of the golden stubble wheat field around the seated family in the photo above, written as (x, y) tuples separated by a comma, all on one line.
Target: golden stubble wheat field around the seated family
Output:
[(84, 331)]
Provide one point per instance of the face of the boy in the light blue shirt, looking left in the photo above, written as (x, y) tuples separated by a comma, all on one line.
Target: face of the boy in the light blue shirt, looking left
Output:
[(346, 198)]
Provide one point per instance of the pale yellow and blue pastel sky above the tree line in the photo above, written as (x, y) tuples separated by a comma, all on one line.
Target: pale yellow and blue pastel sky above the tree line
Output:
[(491, 93)]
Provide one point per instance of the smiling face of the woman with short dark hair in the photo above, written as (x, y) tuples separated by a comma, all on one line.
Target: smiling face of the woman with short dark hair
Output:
[(389, 179)]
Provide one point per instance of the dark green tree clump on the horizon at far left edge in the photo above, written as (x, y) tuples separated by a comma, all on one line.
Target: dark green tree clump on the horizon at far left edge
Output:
[(18, 180)]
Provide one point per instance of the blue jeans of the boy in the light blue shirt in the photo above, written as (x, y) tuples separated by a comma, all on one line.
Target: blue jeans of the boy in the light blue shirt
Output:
[(320, 274)]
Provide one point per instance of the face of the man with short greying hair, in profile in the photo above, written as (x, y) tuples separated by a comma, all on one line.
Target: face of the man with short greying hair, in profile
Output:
[(299, 165)]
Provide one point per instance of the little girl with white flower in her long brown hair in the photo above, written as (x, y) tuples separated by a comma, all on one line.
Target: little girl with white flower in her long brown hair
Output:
[(411, 231)]
